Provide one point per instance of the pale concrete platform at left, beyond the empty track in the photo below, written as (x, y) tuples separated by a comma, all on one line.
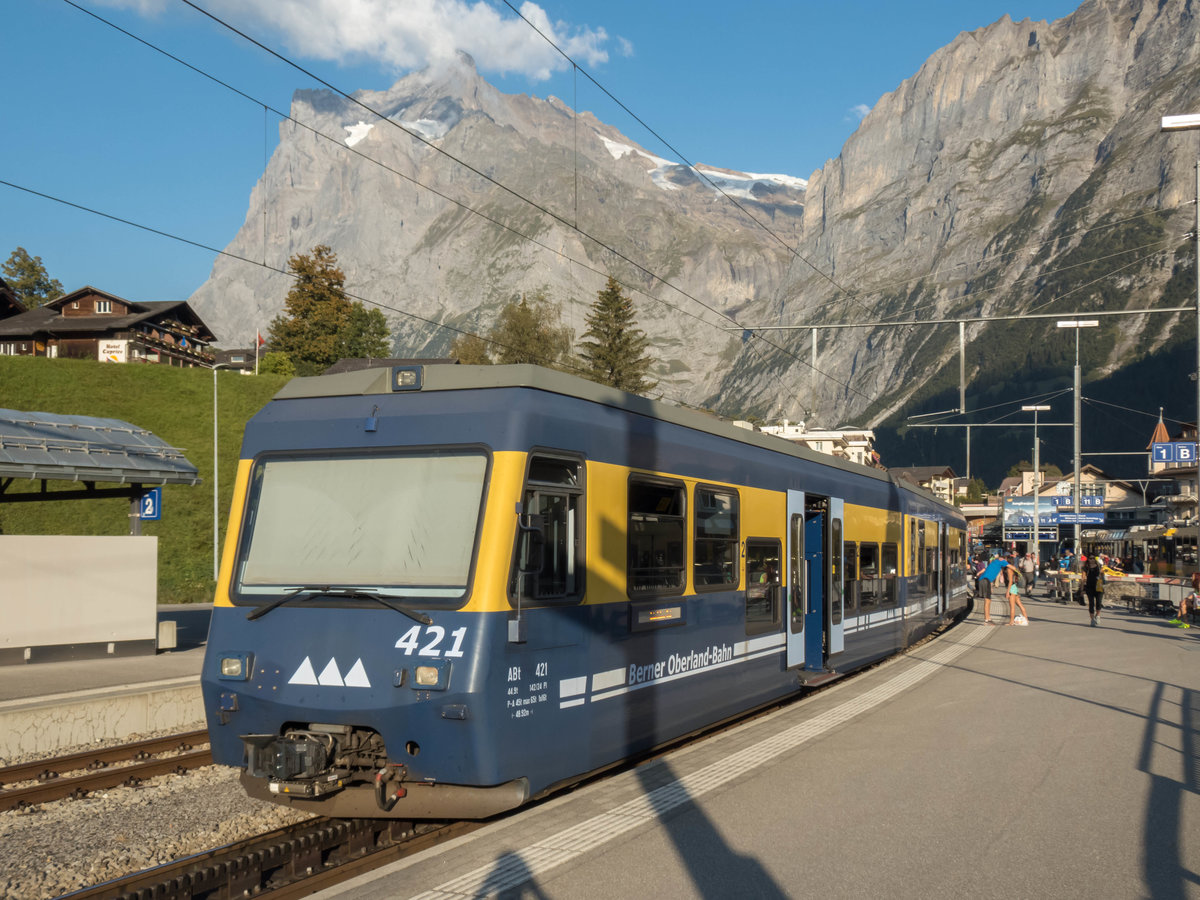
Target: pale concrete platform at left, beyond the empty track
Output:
[(49, 706)]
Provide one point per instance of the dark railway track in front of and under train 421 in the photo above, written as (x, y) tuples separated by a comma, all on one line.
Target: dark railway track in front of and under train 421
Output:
[(291, 862)]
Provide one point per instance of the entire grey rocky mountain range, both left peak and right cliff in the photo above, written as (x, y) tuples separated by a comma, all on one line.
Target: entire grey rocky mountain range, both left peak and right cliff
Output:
[(1021, 170)]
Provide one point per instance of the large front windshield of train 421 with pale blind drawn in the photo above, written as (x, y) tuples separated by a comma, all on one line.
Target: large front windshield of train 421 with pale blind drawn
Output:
[(401, 526)]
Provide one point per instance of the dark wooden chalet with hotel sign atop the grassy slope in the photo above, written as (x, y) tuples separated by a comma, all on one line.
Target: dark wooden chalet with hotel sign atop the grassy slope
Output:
[(94, 325)]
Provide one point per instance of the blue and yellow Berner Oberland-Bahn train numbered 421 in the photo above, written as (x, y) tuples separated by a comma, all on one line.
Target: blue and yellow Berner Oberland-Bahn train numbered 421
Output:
[(449, 590)]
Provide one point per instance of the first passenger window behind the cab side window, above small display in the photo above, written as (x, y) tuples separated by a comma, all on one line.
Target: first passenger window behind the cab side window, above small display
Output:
[(656, 565)]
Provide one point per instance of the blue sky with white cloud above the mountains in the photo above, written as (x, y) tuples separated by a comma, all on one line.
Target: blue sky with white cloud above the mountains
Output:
[(98, 119)]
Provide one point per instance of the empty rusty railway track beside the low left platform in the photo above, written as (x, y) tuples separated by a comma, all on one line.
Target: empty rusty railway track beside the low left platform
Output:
[(77, 775)]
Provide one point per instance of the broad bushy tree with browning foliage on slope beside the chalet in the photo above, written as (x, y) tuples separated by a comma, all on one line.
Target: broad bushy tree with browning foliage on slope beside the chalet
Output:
[(320, 325)]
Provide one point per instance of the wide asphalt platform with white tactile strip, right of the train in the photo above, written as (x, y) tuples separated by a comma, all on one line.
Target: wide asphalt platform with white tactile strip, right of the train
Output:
[(1057, 760)]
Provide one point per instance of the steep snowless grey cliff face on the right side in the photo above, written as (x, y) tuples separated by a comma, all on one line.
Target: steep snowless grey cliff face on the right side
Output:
[(1017, 155)]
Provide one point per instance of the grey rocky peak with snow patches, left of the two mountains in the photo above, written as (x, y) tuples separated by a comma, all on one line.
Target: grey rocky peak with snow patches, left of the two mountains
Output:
[(433, 241)]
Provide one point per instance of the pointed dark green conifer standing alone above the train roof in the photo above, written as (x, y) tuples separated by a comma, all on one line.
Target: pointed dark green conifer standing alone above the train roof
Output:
[(616, 352)]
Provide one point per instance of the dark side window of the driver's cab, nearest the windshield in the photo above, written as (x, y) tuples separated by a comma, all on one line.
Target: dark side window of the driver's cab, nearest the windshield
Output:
[(554, 494)]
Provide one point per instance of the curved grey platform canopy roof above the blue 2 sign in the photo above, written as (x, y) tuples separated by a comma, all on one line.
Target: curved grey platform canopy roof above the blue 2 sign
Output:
[(83, 448)]
